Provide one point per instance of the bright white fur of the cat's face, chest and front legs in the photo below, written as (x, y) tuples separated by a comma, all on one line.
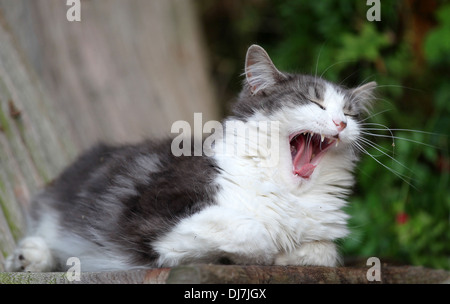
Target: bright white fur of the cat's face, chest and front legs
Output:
[(266, 215)]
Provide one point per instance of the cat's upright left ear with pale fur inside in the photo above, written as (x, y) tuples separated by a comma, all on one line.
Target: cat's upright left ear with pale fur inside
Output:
[(260, 72)]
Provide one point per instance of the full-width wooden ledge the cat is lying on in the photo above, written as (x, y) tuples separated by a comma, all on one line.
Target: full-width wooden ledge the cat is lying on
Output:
[(236, 274)]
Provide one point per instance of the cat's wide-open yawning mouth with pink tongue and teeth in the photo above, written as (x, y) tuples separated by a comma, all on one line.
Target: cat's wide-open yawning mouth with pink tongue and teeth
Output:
[(307, 149)]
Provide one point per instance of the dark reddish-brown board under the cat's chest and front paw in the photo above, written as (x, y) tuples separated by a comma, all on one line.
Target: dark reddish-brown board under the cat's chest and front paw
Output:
[(234, 274)]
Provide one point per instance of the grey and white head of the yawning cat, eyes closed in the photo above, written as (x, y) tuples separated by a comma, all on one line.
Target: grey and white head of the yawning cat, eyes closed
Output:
[(318, 120)]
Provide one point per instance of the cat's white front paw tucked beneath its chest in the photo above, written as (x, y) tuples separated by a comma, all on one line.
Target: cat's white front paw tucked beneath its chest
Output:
[(318, 253)]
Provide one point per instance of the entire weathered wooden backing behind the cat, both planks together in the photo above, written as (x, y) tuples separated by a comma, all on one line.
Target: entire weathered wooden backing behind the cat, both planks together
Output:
[(125, 72)]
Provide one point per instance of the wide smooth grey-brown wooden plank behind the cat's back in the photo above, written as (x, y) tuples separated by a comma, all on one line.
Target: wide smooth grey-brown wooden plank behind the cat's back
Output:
[(127, 71)]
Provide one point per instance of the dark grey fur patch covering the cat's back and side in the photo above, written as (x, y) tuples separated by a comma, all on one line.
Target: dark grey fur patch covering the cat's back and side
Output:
[(123, 198)]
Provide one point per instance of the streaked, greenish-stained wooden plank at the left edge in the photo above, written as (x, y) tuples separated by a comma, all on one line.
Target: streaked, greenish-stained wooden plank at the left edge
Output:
[(30, 152)]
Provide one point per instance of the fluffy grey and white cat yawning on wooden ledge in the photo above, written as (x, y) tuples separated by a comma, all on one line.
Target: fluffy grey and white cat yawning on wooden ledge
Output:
[(138, 206)]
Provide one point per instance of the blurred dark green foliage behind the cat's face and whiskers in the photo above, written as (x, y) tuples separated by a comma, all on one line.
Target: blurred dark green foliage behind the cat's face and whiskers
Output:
[(402, 214)]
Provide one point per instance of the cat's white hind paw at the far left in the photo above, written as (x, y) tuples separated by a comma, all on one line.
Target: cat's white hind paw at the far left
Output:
[(31, 255)]
